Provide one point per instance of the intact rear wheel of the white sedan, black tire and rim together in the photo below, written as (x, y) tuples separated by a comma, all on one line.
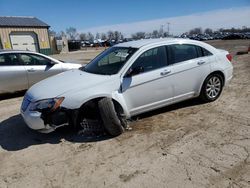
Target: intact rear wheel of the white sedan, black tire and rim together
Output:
[(211, 88)]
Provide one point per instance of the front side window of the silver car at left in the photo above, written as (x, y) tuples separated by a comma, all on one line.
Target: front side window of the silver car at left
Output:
[(30, 59)]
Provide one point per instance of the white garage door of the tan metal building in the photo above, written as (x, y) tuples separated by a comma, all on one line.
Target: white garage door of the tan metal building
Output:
[(24, 41)]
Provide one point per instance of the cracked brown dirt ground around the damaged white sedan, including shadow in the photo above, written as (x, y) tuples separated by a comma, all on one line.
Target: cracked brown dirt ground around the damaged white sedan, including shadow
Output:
[(184, 145)]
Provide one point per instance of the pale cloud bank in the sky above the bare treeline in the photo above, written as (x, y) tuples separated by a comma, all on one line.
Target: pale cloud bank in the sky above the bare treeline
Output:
[(225, 18)]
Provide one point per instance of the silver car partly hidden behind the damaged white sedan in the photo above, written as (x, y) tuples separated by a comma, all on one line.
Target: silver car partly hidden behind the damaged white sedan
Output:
[(19, 70)]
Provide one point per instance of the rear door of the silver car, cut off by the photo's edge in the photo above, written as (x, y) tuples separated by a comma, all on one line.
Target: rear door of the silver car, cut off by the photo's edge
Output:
[(13, 76)]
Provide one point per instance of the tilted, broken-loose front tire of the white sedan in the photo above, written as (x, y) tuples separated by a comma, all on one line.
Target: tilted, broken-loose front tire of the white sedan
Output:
[(111, 121)]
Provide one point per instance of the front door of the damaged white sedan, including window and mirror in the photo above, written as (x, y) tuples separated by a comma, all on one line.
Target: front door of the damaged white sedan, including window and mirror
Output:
[(150, 85)]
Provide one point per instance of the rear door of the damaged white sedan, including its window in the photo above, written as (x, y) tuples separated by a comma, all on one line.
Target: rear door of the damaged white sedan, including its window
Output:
[(191, 68)]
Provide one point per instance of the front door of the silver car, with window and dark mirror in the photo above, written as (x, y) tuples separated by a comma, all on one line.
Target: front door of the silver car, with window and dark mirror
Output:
[(39, 67)]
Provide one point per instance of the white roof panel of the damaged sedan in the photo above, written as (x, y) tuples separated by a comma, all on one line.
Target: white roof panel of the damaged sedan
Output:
[(145, 42)]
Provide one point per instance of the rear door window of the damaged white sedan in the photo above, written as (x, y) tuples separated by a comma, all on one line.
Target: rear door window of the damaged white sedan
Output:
[(181, 52)]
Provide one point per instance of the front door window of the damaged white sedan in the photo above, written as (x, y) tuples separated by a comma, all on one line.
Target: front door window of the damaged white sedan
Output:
[(152, 59)]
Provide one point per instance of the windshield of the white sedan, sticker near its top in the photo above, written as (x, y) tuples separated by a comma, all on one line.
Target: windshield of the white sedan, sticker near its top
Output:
[(110, 61)]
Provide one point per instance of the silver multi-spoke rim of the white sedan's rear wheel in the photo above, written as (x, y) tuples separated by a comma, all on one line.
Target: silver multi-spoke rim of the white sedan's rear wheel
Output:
[(213, 87)]
